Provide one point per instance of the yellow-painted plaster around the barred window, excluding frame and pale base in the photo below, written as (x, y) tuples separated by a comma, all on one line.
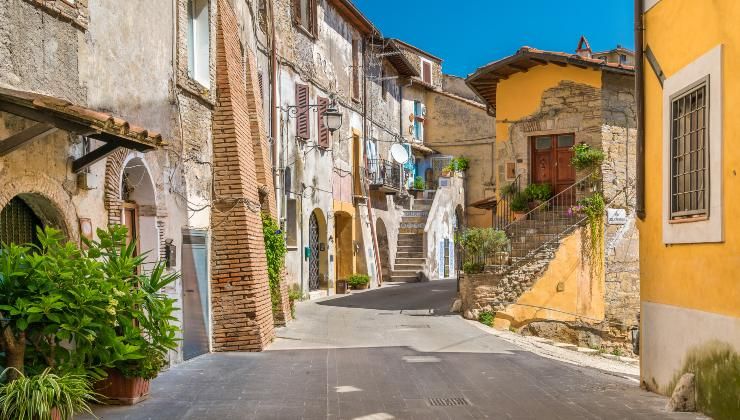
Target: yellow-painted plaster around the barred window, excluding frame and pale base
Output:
[(697, 276)]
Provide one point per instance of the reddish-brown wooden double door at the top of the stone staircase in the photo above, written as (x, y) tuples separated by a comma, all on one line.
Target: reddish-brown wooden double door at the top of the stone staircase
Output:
[(551, 161)]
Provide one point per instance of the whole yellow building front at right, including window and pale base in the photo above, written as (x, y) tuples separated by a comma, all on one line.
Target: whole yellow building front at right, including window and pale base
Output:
[(689, 240)]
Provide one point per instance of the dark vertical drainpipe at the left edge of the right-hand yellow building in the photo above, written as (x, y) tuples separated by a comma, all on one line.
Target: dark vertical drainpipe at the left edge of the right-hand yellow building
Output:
[(640, 102)]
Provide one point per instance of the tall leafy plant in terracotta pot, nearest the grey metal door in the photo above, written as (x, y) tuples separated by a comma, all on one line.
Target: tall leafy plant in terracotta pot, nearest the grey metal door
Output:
[(143, 319)]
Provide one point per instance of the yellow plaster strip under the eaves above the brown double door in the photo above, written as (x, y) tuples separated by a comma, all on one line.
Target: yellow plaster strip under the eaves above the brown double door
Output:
[(520, 94)]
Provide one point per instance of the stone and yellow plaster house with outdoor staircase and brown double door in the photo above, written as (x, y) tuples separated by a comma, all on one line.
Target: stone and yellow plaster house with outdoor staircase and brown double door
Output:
[(545, 104)]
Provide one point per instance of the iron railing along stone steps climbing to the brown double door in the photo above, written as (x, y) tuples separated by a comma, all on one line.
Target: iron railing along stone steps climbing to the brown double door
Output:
[(543, 226)]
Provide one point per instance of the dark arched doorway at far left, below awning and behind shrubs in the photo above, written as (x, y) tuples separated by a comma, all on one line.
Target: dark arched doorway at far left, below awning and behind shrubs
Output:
[(26, 212)]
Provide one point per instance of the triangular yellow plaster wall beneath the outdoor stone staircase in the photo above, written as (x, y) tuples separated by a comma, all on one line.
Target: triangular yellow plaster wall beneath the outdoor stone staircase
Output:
[(580, 294)]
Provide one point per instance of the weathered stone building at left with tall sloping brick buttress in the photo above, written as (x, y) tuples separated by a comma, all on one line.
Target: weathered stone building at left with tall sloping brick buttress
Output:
[(137, 125)]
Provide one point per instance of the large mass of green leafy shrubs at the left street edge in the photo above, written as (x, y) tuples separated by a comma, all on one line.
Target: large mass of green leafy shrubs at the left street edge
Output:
[(101, 299)]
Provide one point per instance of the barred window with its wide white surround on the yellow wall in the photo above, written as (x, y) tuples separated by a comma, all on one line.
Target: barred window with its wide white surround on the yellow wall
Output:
[(692, 147)]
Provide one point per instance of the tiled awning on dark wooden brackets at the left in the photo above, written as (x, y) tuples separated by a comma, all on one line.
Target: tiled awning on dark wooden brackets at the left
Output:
[(52, 113)]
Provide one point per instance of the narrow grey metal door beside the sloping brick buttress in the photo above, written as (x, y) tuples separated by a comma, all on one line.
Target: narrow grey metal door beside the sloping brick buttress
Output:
[(195, 293)]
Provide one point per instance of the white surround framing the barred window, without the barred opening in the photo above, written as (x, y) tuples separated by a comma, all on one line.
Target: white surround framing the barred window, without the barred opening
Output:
[(709, 229)]
